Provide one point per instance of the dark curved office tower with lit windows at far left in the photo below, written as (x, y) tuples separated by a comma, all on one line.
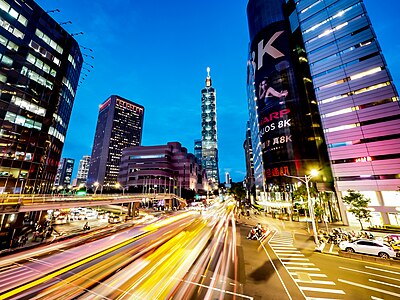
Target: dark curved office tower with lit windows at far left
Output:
[(40, 69)]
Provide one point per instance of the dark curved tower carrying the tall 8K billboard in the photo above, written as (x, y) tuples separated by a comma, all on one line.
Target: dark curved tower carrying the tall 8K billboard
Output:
[(285, 127)]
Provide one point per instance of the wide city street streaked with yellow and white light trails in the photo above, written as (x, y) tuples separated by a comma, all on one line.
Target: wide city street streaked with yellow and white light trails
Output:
[(196, 254)]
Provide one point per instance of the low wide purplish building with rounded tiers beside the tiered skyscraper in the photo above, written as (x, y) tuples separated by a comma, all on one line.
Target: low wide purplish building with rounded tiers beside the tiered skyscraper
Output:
[(161, 169)]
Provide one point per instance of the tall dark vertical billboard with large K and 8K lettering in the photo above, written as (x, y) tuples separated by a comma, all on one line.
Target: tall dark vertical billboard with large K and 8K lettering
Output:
[(278, 109)]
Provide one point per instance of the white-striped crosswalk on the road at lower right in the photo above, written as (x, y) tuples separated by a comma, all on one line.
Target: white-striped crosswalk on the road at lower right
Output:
[(310, 280)]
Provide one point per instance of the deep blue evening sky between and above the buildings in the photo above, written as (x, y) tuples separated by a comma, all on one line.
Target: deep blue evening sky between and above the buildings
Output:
[(155, 53)]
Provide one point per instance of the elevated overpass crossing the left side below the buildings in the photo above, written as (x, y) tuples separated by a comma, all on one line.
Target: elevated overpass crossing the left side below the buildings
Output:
[(11, 204)]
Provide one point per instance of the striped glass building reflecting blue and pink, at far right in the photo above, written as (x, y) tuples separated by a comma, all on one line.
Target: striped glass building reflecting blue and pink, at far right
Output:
[(358, 102)]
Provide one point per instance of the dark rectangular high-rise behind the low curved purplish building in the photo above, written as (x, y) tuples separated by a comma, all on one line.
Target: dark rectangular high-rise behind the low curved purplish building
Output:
[(119, 125)]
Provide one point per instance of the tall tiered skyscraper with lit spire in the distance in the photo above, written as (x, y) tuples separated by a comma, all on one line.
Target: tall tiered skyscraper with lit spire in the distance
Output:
[(209, 132)]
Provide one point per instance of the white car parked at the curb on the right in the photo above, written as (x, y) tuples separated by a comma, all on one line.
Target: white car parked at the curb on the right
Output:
[(370, 247)]
